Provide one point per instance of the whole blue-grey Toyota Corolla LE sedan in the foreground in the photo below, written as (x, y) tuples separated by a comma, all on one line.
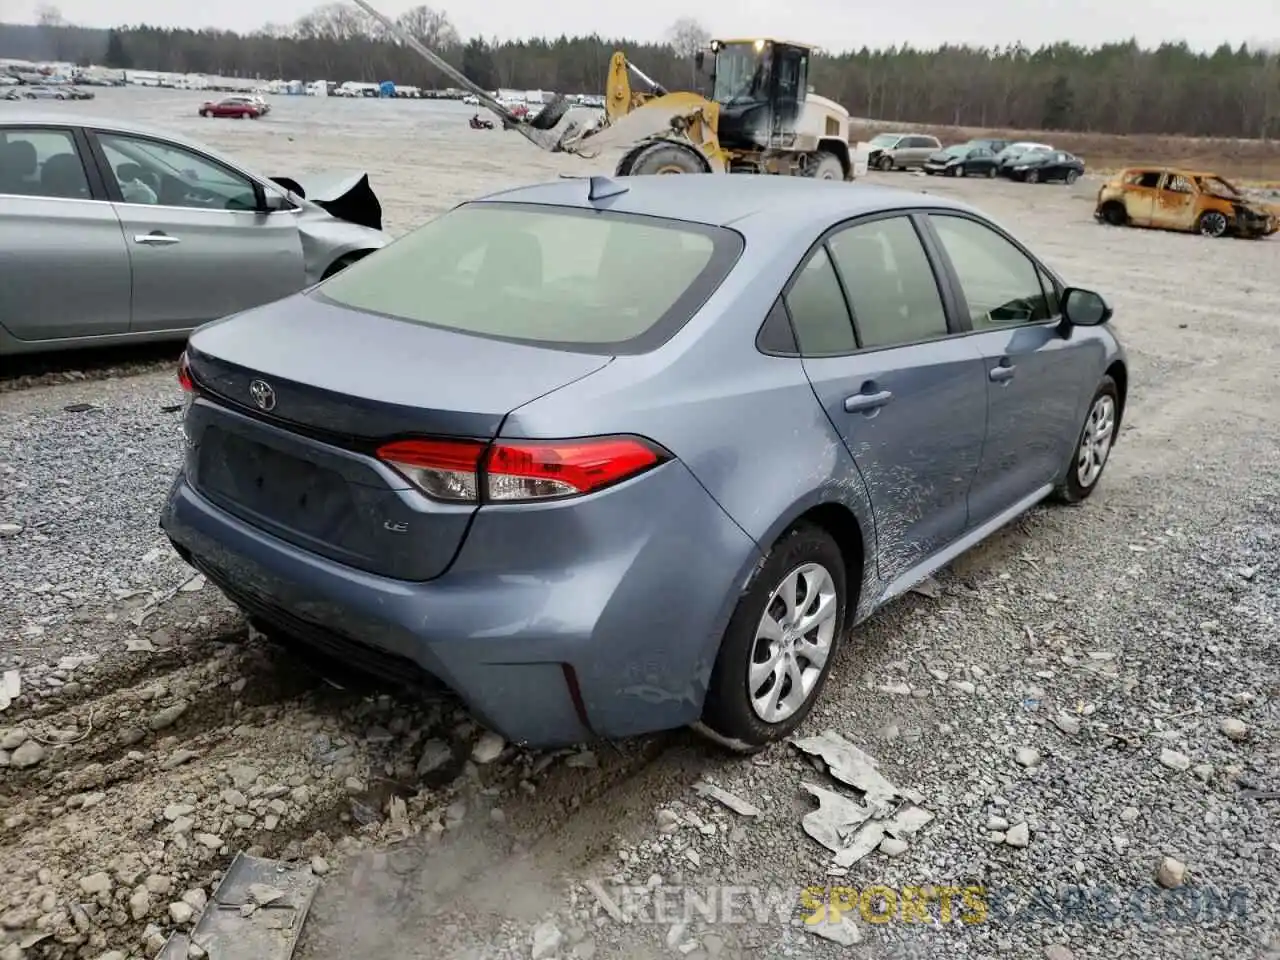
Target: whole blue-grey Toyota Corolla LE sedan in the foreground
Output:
[(547, 509)]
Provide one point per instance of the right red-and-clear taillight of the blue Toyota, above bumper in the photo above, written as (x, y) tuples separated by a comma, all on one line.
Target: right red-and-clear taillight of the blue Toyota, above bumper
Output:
[(515, 472)]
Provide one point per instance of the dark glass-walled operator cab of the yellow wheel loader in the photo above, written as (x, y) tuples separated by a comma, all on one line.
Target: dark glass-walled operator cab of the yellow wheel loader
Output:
[(761, 88)]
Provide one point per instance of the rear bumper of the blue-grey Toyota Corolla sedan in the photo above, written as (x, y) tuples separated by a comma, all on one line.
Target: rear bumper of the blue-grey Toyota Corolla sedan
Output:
[(605, 623)]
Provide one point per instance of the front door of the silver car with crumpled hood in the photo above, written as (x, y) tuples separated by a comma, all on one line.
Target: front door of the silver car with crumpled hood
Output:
[(202, 250)]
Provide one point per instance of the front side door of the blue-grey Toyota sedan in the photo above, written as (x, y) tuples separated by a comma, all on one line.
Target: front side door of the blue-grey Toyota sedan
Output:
[(1035, 374)]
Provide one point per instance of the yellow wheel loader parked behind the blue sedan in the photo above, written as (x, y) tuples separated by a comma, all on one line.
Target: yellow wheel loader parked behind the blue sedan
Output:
[(761, 117)]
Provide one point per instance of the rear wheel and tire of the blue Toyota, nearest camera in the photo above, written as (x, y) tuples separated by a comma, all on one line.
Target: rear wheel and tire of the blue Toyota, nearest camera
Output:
[(780, 643)]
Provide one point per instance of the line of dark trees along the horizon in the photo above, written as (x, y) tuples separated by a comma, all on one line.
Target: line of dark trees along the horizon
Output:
[(1113, 89)]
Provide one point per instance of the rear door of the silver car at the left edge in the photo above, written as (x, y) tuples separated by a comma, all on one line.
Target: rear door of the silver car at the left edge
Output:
[(65, 268)]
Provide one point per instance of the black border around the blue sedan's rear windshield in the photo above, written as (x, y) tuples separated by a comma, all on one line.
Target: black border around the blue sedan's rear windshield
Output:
[(728, 246)]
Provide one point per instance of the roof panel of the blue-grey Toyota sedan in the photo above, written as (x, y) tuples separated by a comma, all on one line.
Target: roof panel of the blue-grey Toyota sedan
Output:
[(751, 204)]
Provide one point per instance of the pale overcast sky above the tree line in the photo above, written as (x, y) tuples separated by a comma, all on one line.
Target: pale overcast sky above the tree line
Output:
[(835, 24)]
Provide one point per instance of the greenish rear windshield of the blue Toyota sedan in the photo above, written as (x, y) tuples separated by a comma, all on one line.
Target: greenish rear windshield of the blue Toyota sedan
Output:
[(578, 280)]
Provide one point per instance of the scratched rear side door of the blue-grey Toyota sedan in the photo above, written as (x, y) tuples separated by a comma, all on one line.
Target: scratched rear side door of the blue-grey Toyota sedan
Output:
[(906, 395)]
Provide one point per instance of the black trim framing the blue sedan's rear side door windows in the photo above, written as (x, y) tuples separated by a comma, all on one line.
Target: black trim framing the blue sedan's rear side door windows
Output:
[(954, 312)]
